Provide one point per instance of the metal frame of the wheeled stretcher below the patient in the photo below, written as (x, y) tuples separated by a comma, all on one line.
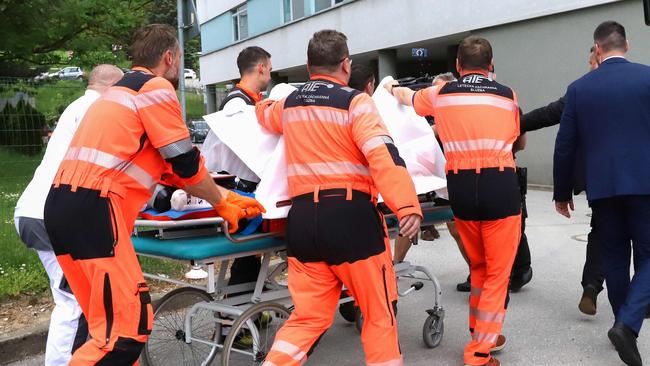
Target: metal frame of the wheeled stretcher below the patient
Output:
[(266, 289)]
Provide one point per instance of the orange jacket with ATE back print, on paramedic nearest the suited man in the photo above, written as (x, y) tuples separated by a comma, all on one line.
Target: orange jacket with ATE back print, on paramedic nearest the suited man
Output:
[(477, 120)]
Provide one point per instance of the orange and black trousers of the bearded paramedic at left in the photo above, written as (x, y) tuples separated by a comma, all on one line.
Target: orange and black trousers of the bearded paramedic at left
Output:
[(109, 287)]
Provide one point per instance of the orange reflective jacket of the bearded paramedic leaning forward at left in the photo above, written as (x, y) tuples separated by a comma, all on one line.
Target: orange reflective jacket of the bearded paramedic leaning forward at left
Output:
[(129, 138)]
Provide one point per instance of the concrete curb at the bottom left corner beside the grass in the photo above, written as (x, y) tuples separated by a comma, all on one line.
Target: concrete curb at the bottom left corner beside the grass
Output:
[(25, 343)]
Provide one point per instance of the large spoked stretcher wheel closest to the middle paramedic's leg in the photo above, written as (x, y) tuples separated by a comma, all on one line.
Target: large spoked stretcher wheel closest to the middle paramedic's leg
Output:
[(252, 334)]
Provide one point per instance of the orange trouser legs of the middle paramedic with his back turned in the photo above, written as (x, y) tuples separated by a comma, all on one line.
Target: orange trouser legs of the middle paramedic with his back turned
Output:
[(315, 289)]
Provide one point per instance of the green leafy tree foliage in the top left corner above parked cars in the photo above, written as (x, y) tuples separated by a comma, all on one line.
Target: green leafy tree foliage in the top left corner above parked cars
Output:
[(32, 30)]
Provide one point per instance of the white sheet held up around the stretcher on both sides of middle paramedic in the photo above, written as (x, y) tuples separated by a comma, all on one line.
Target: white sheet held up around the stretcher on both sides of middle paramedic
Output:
[(264, 153)]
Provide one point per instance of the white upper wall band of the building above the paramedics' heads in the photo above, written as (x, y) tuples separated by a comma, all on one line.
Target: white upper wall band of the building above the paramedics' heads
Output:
[(379, 24)]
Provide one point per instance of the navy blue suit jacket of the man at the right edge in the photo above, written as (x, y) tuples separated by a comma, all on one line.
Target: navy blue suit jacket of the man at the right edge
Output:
[(607, 114)]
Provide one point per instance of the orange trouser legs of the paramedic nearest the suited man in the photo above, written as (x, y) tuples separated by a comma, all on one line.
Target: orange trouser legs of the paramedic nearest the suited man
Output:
[(491, 247)]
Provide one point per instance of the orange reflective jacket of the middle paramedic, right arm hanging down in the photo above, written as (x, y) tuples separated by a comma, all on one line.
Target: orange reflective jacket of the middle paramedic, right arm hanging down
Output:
[(335, 138)]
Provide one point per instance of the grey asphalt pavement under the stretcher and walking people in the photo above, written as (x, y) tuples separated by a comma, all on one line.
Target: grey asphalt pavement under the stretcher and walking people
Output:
[(543, 325)]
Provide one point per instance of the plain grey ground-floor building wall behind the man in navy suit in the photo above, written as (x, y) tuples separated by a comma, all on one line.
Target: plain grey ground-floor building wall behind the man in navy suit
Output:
[(541, 57)]
